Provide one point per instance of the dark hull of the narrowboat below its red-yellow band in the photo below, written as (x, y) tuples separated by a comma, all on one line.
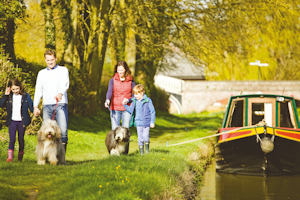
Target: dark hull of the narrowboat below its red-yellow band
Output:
[(246, 156)]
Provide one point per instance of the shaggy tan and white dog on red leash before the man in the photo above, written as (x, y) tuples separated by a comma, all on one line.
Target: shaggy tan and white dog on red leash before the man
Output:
[(49, 146)]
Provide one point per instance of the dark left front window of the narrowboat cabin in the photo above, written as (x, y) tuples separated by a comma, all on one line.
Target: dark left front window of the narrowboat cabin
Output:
[(237, 116)]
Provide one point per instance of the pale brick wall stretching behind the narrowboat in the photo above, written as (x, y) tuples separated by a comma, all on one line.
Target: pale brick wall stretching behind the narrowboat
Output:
[(198, 96)]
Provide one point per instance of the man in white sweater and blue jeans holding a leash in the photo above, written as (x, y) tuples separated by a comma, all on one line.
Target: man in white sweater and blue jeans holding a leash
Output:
[(52, 84)]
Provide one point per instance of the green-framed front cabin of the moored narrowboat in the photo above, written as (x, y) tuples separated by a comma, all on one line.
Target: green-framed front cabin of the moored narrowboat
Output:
[(273, 110)]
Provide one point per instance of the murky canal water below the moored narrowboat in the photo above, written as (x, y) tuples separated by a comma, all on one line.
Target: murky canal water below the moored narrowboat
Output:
[(220, 186)]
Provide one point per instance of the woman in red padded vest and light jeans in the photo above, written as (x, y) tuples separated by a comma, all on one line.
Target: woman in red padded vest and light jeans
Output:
[(119, 91)]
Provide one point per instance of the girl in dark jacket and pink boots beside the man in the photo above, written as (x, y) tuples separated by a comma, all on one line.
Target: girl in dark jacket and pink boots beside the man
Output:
[(17, 103)]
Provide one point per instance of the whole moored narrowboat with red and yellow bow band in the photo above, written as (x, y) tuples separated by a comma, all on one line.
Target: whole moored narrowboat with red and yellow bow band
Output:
[(260, 135)]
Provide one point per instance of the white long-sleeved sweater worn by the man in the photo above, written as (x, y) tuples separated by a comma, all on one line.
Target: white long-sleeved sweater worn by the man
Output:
[(49, 83)]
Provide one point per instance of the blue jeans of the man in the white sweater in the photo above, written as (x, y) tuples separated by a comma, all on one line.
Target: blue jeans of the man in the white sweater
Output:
[(61, 116)]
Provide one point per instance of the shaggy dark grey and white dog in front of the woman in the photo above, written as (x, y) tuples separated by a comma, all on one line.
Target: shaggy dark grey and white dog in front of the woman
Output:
[(117, 141)]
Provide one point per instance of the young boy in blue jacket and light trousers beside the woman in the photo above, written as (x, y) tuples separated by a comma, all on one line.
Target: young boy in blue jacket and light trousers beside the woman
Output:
[(143, 116)]
